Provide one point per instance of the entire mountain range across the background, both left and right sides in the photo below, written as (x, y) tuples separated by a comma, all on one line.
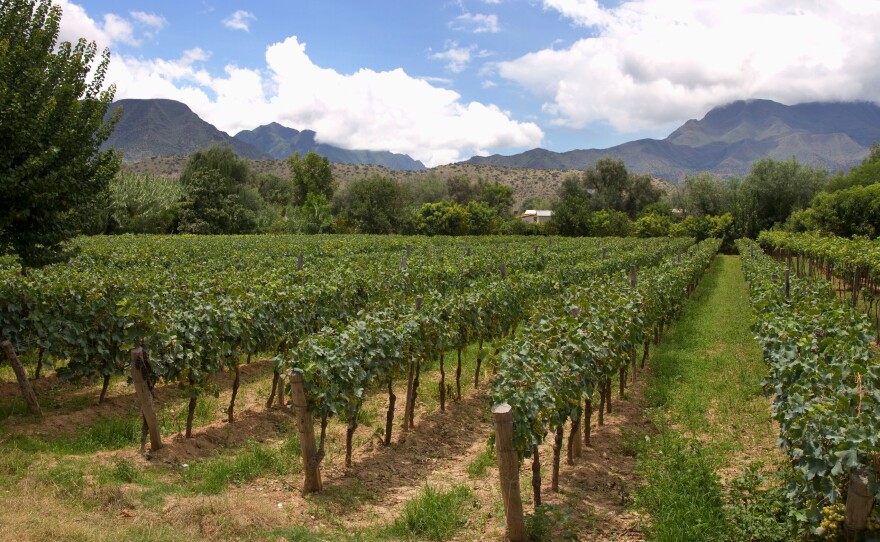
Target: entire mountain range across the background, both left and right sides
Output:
[(726, 141)]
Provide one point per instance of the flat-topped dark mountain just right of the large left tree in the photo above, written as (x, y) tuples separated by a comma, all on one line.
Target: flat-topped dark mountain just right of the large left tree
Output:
[(156, 127)]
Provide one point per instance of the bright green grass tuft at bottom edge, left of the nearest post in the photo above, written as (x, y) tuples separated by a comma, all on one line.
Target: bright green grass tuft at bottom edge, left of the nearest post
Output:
[(433, 514)]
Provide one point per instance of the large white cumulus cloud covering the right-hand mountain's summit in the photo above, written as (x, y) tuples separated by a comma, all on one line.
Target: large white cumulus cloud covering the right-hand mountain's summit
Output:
[(648, 63)]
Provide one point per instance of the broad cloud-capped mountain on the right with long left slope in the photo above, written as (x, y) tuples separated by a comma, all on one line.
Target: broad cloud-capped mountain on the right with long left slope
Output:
[(730, 138)]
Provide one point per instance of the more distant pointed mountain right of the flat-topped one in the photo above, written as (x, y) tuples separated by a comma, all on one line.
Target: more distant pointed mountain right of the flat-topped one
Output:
[(279, 142)]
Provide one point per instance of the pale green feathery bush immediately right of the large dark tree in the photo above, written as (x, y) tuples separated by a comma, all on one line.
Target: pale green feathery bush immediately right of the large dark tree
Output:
[(144, 203)]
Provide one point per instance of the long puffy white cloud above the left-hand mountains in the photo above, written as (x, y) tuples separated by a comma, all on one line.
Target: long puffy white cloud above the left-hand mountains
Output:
[(387, 110)]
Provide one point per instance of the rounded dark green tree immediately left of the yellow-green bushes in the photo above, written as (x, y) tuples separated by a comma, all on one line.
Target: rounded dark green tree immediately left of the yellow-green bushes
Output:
[(374, 204)]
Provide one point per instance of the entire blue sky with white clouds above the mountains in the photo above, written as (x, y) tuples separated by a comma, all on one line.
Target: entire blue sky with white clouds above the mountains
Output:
[(443, 80)]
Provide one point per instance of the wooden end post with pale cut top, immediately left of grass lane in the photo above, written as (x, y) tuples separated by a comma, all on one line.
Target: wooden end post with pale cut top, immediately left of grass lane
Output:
[(508, 473)]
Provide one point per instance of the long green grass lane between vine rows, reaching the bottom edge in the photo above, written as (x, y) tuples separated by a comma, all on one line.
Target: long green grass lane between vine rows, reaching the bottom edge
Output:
[(709, 407)]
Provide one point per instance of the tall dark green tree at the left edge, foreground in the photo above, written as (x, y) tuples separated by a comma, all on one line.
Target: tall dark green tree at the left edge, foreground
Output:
[(51, 130)]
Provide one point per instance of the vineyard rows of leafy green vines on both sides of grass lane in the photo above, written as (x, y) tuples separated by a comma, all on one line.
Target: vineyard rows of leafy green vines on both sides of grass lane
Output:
[(374, 346)]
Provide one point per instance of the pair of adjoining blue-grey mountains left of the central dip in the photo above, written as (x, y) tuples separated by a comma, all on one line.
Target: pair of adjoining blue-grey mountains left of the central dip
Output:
[(158, 127)]
